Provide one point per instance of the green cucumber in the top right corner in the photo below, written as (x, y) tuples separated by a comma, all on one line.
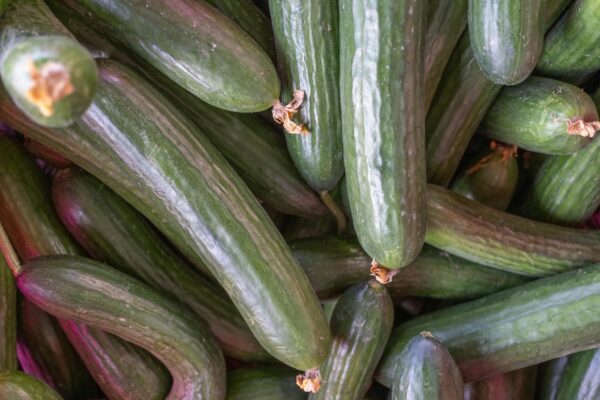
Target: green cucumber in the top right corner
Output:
[(571, 51)]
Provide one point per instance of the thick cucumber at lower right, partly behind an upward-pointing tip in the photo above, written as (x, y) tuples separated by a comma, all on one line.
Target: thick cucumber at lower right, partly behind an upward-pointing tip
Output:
[(494, 334)]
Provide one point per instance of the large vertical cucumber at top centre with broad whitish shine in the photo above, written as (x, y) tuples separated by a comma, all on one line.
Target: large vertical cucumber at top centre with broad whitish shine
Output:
[(383, 125)]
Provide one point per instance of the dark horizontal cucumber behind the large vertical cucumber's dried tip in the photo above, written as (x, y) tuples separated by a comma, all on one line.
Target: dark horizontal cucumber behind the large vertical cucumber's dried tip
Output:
[(333, 264)]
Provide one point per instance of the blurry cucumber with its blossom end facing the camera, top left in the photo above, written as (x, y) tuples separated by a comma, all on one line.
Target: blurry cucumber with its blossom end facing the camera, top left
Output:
[(50, 77)]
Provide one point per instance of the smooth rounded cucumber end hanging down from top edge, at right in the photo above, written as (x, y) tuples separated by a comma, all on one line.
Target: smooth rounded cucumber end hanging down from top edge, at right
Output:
[(507, 38)]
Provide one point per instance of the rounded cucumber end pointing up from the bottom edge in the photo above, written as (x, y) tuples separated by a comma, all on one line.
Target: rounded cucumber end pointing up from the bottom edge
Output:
[(426, 370)]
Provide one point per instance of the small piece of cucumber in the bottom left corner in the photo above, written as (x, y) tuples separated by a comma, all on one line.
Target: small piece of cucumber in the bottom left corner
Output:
[(15, 385)]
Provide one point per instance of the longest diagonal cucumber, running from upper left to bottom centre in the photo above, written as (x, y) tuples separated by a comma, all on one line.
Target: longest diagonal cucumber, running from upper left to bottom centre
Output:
[(179, 181)]
